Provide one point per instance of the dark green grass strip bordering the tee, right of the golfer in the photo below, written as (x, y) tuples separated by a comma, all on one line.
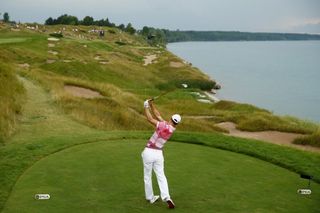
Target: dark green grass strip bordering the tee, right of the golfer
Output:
[(295, 160)]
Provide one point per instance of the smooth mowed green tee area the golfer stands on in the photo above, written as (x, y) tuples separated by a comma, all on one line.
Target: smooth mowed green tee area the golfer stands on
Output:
[(107, 176)]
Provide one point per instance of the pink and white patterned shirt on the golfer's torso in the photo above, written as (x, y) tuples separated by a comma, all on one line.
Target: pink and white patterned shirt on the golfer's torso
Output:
[(163, 132)]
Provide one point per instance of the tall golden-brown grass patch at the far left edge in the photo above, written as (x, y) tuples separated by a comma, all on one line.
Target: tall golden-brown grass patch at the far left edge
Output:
[(11, 100)]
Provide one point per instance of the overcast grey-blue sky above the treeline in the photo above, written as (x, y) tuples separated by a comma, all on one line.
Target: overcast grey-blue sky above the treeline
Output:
[(239, 15)]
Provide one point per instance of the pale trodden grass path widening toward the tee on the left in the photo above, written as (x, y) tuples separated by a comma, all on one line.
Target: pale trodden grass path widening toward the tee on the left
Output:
[(40, 118)]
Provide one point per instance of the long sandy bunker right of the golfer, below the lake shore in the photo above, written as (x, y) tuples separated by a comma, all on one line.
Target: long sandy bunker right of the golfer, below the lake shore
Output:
[(276, 137)]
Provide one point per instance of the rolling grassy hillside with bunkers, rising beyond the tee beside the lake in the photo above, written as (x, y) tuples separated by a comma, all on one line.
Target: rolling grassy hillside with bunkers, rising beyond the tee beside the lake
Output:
[(118, 72)]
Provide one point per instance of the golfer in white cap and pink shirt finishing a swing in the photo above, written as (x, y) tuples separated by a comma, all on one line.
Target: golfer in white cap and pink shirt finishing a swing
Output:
[(152, 156)]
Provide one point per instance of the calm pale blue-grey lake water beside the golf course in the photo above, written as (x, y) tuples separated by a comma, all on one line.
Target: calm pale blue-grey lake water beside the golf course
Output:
[(281, 76)]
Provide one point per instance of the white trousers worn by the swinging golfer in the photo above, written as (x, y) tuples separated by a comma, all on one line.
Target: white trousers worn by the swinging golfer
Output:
[(153, 160)]
